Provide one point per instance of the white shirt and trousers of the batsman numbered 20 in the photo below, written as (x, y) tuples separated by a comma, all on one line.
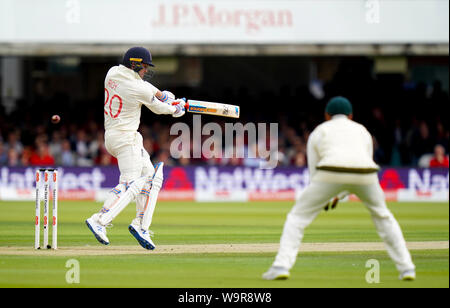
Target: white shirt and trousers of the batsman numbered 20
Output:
[(125, 94)]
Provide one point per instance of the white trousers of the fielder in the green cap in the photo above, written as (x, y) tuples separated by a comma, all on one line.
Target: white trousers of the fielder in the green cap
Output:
[(312, 202)]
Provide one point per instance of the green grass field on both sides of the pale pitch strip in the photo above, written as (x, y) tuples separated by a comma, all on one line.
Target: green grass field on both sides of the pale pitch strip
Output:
[(183, 223)]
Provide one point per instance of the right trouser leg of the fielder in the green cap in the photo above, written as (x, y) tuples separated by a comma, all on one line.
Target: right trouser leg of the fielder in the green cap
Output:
[(387, 226)]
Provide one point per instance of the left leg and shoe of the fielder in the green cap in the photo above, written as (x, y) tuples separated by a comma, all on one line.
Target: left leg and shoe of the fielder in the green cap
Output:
[(305, 210)]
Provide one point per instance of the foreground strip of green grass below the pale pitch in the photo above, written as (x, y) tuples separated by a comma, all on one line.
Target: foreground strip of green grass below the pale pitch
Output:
[(313, 270)]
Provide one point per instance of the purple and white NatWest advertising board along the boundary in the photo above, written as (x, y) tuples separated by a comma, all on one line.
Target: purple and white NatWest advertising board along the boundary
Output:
[(214, 183)]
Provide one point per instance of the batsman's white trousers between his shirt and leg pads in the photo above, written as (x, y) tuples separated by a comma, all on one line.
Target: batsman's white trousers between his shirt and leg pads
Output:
[(133, 159)]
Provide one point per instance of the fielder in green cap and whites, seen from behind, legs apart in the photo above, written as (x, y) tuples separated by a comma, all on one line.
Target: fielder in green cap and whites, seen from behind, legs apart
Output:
[(340, 161)]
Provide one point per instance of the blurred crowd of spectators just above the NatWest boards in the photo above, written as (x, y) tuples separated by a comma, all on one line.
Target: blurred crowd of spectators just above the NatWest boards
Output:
[(423, 145)]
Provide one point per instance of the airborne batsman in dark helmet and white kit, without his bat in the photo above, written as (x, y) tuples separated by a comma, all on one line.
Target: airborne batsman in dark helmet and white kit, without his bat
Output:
[(127, 89)]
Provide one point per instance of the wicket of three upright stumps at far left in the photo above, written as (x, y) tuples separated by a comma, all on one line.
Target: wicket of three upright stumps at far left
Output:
[(49, 175)]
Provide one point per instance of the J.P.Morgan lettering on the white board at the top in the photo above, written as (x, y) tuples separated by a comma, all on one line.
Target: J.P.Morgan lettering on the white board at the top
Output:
[(221, 15)]
